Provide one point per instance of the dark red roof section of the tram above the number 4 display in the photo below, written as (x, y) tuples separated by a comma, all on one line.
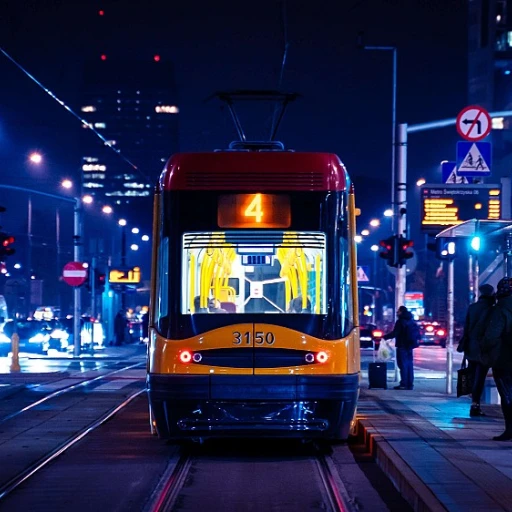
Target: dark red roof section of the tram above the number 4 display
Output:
[(248, 170)]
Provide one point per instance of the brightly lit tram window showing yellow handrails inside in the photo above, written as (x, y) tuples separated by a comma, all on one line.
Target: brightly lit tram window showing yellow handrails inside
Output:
[(274, 272)]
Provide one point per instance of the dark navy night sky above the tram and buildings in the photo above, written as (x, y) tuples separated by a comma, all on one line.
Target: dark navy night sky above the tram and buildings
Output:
[(345, 106)]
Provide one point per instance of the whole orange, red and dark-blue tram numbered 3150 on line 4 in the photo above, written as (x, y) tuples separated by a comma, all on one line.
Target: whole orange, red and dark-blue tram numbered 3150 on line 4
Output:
[(254, 321)]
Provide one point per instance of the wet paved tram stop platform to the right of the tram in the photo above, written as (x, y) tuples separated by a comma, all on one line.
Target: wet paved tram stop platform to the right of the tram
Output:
[(435, 454)]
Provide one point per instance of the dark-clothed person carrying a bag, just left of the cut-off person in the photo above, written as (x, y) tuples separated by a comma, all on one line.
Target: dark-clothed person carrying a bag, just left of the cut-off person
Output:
[(477, 319)]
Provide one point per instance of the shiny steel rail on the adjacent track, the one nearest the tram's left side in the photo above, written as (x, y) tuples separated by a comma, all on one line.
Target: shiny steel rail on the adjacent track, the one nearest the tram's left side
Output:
[(22, 477)]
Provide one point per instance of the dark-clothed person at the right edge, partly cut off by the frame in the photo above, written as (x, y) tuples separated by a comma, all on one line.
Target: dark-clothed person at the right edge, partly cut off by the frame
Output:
[(496, 349)]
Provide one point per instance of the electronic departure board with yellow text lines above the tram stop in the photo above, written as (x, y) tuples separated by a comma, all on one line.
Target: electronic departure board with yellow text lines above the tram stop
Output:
[(447, 205)]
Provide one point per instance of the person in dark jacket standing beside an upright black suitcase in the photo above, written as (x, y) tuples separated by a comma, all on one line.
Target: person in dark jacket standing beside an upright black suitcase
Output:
[(406, 333)]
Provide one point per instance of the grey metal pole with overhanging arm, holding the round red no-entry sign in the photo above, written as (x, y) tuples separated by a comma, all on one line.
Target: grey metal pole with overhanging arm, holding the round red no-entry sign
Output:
[(77, 250)]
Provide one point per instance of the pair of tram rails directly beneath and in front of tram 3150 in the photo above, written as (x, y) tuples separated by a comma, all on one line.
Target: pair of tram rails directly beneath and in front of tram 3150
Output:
[(334, 495)]
